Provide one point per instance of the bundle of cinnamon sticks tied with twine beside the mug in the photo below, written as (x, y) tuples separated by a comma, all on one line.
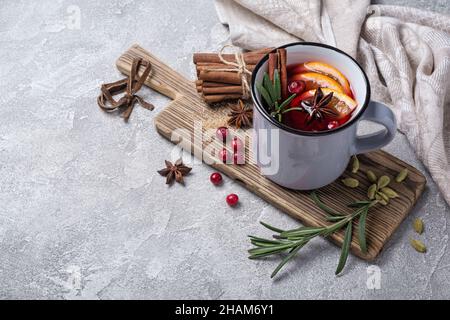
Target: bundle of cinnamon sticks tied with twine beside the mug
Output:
[(218, 81)]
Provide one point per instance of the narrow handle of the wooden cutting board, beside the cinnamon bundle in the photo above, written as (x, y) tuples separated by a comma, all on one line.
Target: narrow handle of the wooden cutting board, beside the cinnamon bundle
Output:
[(162, 78)]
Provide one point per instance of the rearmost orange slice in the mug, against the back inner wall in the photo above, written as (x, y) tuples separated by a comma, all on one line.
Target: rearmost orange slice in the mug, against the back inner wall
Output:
[(323, 68)]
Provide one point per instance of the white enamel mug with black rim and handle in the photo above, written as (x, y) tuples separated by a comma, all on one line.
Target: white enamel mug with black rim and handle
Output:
[(305, 160)]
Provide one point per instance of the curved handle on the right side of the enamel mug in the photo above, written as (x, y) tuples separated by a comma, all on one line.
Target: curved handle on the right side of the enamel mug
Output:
[(379, 113)]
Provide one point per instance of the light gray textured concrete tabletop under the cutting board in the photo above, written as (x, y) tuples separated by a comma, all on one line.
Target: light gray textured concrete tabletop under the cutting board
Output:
[(83, 213)]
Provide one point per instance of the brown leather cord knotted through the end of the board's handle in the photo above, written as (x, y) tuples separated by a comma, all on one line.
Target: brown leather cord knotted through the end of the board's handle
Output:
[(130, 85)]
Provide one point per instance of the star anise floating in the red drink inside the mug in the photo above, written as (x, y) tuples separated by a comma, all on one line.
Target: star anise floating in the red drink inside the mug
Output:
[(317, 107)]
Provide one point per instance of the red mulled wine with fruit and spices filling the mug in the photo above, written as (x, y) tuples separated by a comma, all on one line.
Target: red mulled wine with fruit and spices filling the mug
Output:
[(318, 97)]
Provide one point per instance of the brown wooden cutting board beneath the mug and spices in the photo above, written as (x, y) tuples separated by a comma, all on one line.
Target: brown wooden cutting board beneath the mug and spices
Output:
[(187, 109)]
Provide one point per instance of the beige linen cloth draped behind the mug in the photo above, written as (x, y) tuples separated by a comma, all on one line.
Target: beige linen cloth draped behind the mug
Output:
[(405, 52)]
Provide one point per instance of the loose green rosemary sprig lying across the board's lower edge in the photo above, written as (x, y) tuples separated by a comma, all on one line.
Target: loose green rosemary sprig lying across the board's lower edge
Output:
[(293, 240)]
